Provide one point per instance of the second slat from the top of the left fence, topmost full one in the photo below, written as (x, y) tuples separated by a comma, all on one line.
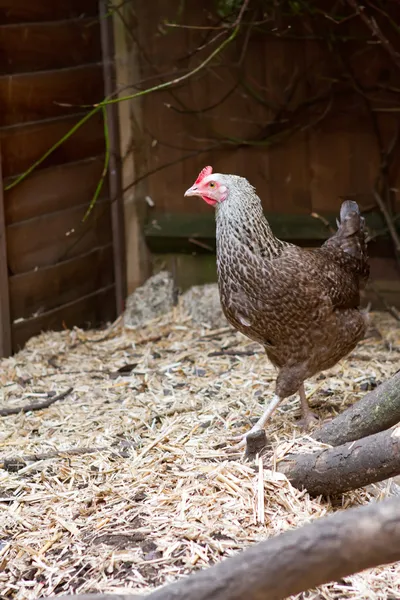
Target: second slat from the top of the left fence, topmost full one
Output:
[(45, 46)]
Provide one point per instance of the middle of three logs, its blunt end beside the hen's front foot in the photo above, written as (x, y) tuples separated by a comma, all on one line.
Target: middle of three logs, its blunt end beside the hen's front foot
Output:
[(347, 467)]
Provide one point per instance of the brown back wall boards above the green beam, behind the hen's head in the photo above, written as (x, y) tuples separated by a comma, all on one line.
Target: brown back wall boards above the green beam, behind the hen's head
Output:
[(332, 151)]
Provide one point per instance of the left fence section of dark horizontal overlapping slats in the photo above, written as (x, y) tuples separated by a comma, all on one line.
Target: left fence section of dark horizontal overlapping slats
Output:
[(57, 270)]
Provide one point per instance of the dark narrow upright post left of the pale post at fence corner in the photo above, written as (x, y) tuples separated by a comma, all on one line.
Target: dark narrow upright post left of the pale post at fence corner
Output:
[(115, 166)]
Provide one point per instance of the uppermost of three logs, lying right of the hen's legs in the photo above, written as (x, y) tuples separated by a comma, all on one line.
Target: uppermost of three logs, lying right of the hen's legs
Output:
[(376, 411)]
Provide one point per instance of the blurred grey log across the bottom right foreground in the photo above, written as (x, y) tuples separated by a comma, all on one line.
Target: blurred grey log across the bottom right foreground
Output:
[(323, 551)]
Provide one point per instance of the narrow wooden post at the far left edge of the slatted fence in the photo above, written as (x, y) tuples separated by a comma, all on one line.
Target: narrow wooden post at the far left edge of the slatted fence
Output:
[(5, 323)]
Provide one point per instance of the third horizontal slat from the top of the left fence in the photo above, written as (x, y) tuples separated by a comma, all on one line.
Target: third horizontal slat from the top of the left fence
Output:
[(38, 96)]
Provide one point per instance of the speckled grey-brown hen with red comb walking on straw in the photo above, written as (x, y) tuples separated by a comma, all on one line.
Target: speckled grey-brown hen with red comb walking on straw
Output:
[(301, 304)]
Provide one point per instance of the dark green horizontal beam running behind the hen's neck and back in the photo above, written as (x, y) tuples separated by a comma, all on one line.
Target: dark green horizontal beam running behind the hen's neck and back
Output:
[(168, 232)]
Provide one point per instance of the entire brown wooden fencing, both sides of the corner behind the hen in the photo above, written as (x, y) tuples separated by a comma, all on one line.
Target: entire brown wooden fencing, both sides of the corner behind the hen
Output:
[(278, 111)]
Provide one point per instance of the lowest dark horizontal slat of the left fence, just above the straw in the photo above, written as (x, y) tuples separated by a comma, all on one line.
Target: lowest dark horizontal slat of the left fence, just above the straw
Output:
[(90, 311)]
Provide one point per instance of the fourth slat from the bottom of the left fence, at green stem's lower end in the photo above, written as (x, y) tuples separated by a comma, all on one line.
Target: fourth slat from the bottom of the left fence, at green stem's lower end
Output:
[(53, 189)]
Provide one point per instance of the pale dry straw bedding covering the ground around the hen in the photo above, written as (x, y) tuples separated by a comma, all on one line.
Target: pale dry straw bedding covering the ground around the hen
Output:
[(161, 497)]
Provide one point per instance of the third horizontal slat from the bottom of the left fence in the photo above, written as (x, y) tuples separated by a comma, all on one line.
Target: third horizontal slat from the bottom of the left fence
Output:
[(52, 238)]
